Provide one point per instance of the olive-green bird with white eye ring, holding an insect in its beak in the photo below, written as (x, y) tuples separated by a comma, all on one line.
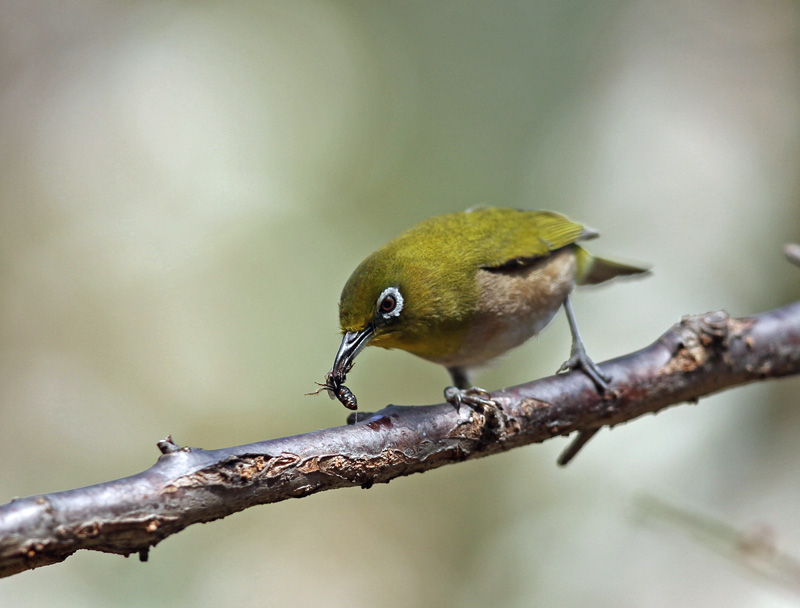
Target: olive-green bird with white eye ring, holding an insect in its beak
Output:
[(463, 288)]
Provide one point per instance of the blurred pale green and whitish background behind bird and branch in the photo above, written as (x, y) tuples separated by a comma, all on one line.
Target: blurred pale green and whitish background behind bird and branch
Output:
[(185, 187)]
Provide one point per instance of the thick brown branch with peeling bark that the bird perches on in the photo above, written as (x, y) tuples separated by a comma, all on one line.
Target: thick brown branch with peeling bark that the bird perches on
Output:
[(699, 356)]
